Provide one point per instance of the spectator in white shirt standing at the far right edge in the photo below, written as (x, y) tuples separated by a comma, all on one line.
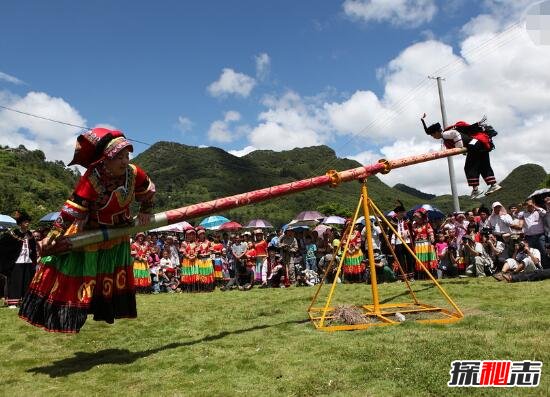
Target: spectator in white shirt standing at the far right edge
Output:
[(532, 223)]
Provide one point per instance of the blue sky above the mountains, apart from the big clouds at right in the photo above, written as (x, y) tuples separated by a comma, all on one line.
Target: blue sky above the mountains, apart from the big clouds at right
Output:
[(141, 66)]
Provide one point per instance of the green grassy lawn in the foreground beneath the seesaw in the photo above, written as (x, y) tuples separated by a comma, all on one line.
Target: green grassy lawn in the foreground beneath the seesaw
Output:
[(261, 343)]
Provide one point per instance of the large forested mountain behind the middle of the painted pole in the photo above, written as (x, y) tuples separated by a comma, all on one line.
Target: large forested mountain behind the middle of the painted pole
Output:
[(186, 175)]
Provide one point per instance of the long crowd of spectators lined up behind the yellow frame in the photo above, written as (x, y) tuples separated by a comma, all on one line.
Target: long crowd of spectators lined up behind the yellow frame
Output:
[(476, 243)]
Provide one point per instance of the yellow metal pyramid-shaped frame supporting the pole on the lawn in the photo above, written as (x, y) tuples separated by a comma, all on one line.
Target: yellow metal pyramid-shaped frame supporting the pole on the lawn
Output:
[(377, 314)]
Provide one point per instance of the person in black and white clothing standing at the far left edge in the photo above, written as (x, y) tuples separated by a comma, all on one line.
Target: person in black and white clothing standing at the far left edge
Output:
[(17, 259)]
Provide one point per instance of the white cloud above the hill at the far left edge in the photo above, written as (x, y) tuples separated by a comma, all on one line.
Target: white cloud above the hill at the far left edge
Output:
[(55, 140)]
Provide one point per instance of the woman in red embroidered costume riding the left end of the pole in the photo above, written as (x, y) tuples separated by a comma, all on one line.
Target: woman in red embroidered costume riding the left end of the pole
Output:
[(97, 279)]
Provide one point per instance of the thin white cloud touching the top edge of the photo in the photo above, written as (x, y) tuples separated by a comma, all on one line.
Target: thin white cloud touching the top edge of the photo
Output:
[(406, 13)]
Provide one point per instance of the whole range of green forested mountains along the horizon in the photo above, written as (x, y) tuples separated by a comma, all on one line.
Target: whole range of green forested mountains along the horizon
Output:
[(186, 175)]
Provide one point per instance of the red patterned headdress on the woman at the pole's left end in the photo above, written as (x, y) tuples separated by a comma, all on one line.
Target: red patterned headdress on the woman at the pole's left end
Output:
[(96, 144)]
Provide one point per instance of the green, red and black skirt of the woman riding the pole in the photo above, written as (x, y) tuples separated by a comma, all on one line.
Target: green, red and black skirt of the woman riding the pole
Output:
[(97, 280)]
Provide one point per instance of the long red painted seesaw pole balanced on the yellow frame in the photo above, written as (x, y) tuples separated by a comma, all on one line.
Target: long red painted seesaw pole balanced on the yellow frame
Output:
[(331, 178)]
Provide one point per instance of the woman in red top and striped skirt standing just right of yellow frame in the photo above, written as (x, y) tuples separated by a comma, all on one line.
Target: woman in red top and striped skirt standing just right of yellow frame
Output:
[(423, 243)]
